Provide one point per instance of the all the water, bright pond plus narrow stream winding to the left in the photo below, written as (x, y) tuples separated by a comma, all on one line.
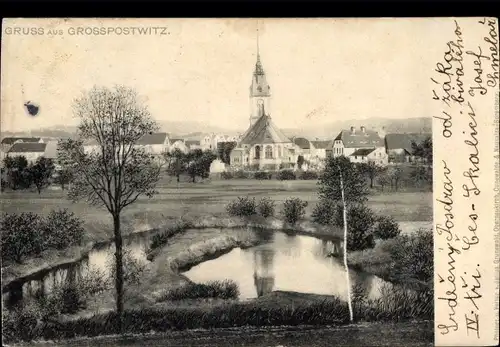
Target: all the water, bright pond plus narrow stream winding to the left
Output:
[(281, 261)]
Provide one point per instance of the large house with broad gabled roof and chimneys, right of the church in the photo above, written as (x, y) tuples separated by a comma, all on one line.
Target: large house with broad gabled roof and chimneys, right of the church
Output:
[(349, 141)]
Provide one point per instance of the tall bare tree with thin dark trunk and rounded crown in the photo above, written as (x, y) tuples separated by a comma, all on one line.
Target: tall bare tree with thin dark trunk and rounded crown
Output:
[(115, 171)]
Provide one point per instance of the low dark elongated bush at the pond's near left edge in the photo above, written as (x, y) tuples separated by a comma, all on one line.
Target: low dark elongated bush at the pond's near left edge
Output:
[(226, 289)]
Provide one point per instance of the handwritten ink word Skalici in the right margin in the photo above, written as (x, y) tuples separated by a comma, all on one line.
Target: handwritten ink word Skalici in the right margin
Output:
[(472, 172)]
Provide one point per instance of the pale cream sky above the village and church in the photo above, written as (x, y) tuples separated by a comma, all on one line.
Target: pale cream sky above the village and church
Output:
[(319, 70)]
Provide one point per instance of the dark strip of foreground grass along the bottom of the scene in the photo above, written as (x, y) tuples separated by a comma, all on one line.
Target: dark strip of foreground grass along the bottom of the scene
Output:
[(273, 310)]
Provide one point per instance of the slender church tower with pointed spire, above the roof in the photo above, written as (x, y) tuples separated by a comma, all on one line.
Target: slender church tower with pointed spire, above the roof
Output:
[(260, 92)]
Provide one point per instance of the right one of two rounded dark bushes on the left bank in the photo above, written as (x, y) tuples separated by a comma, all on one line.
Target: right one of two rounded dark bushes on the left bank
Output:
[(61, 229)]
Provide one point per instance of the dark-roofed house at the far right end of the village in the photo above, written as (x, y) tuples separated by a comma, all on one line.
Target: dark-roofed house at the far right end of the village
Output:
[(399, 146)]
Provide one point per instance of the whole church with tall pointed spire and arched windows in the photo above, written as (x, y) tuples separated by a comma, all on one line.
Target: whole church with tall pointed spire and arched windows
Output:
[(263, 146)]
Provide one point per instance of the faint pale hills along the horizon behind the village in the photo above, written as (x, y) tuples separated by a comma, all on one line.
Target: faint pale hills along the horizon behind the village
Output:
[(194, 130)]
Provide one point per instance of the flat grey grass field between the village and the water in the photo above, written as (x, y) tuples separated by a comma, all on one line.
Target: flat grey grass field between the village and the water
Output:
[(207, 198)]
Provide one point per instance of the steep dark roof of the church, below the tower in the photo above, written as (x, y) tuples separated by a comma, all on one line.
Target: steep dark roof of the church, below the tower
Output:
[(264, 131)]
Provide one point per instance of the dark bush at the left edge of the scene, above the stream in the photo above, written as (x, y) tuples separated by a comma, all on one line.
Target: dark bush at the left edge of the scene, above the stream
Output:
[(21, 236)]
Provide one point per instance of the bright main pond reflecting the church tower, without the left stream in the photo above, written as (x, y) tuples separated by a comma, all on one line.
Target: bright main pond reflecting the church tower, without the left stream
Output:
[(286, 262)]
